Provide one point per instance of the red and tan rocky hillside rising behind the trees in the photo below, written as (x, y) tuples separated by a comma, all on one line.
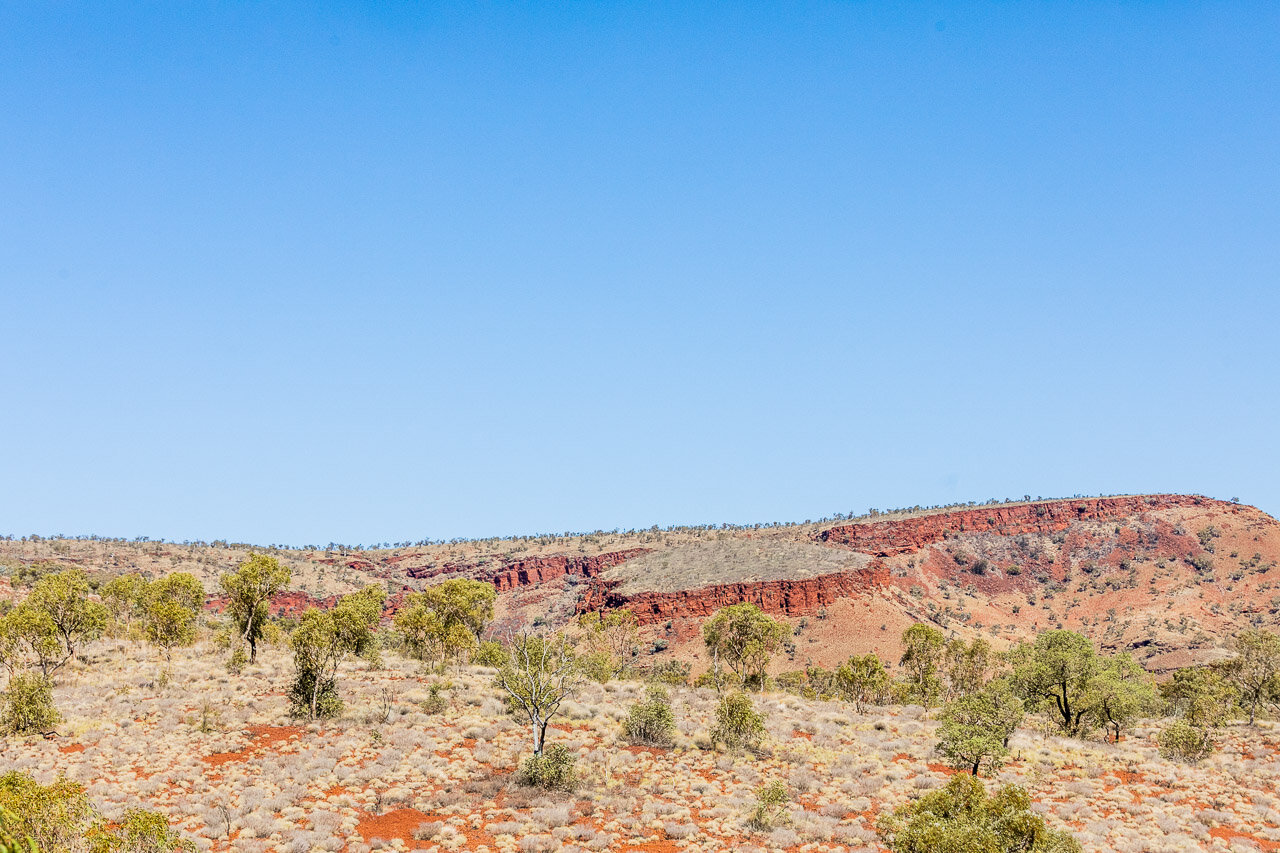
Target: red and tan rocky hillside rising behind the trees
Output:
[(1169, 577)]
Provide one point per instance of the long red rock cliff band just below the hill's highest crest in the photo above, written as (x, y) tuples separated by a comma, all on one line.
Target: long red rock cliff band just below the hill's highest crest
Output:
[(886, 539)]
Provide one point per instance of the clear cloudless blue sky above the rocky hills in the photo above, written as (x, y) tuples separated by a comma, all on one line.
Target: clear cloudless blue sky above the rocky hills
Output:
[(380, 272)]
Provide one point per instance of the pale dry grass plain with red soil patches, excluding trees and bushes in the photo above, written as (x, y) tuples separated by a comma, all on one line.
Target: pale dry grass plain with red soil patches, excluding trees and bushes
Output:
[(222, 758)]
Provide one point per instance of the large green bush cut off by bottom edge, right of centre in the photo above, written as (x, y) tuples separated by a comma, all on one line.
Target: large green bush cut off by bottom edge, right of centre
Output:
[(963, 819)]
